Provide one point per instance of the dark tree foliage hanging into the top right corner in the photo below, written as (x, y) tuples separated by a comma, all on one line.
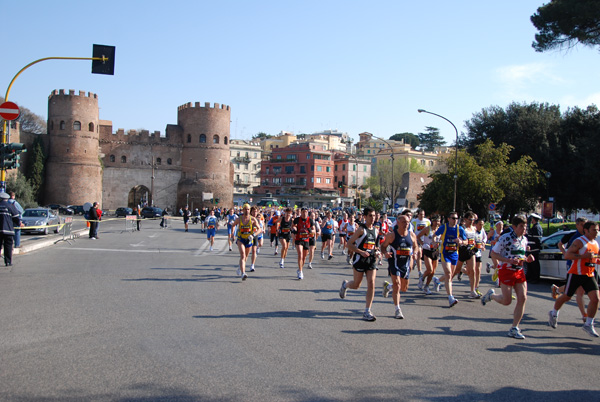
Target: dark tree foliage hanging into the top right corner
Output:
[(566, 23)]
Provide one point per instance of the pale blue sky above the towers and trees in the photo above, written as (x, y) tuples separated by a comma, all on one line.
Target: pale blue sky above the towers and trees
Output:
[(300, 66)]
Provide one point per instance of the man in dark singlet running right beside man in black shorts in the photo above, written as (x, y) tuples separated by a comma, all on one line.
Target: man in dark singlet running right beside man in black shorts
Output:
[(402, 248)]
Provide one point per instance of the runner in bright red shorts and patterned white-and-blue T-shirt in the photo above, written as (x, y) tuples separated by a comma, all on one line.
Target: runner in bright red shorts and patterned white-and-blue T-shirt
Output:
[(510, 251)]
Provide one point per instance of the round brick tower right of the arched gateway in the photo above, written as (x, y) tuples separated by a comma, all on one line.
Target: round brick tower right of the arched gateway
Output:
[(205, 160)]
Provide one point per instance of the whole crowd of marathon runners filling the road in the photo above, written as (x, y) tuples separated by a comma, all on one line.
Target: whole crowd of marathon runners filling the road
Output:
[(408, 243)]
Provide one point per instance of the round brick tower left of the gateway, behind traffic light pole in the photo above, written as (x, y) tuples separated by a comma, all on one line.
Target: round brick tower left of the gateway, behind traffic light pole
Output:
[(73, 170)]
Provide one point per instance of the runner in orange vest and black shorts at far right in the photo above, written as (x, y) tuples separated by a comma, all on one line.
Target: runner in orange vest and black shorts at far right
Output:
[(584, 253)]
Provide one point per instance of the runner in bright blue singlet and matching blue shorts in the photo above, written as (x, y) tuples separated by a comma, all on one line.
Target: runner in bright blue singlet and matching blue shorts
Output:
[(452, 236)]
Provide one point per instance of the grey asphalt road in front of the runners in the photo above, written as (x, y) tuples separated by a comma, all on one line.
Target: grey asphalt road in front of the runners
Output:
[(153, 315)]
